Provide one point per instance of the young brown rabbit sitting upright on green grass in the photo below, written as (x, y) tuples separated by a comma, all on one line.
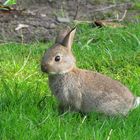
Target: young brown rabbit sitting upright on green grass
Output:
[(82, 90)]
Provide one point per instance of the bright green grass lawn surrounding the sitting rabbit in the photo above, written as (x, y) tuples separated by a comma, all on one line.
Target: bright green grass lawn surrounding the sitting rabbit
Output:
[(113, 52)]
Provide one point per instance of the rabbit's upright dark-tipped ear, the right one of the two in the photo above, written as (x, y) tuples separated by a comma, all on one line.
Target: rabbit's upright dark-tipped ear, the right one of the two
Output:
[(68, 40)]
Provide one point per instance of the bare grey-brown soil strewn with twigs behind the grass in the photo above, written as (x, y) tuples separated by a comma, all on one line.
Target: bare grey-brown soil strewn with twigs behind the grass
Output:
[(40, 20)]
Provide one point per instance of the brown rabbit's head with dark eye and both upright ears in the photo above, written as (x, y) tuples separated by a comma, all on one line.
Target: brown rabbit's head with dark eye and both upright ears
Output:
[(59, 59)]
